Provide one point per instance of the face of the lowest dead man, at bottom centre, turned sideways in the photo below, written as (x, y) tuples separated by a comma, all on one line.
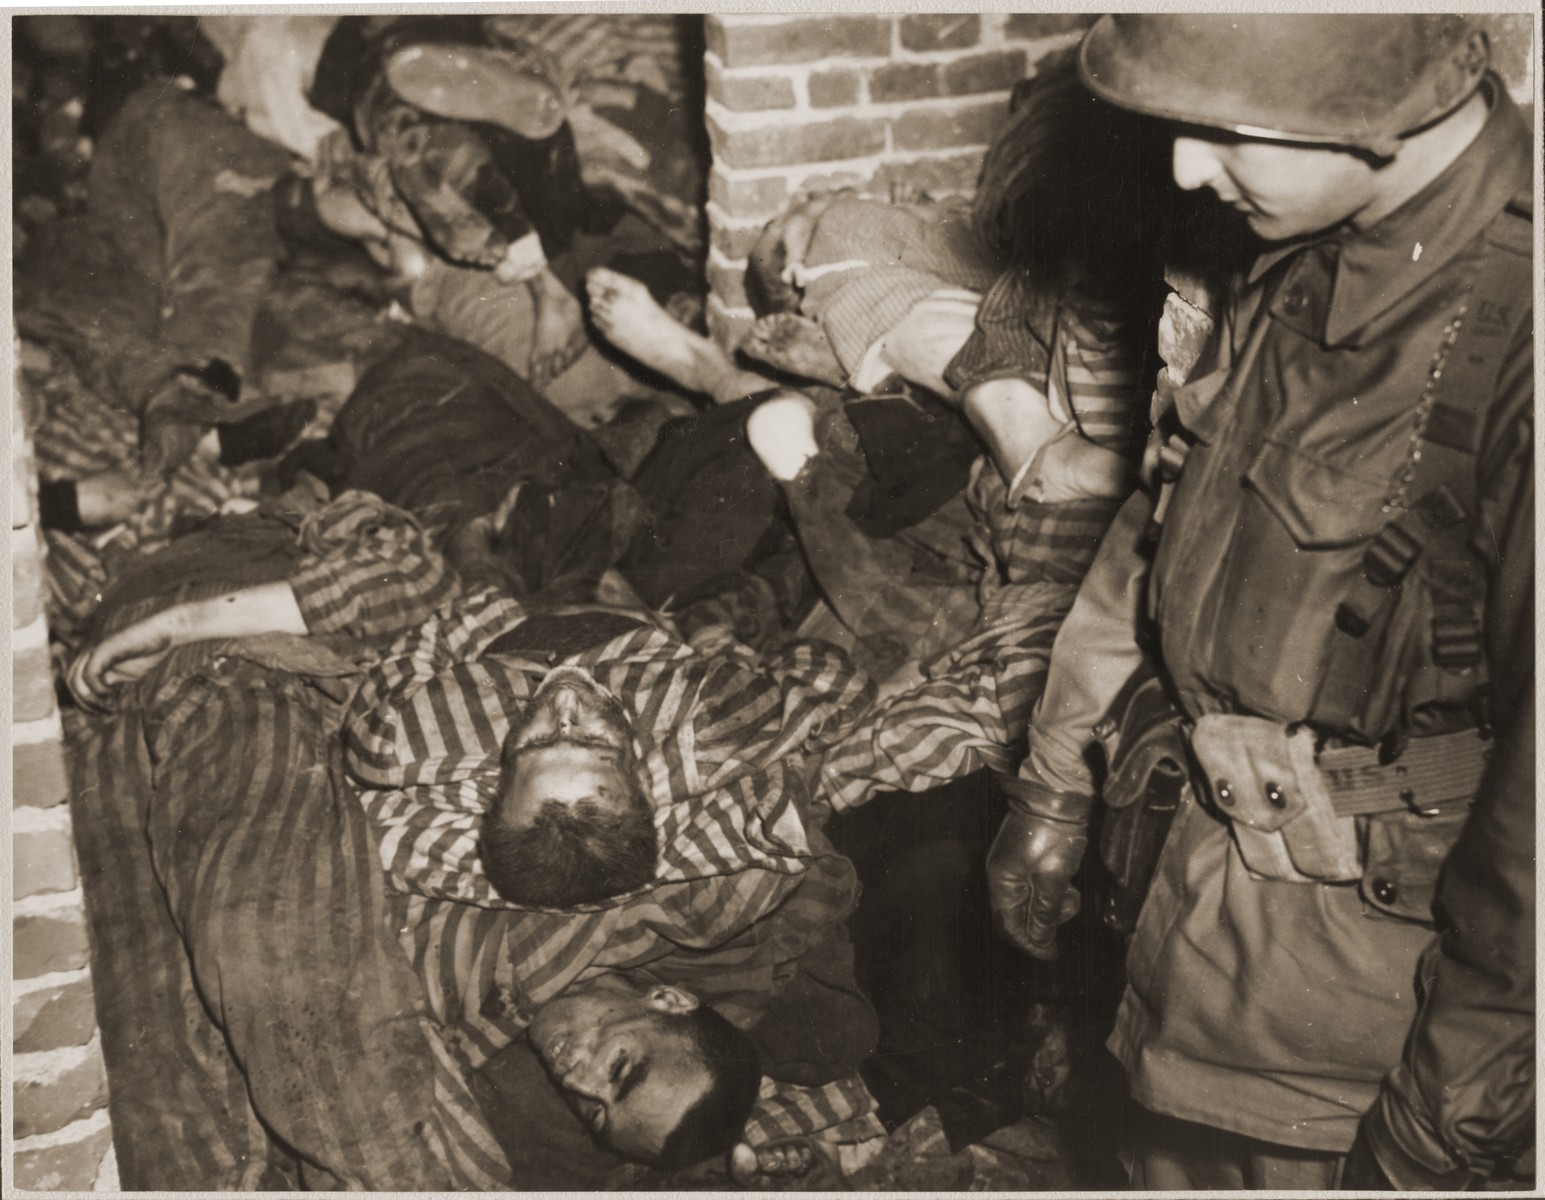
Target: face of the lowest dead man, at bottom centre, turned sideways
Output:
[(623, 1060)]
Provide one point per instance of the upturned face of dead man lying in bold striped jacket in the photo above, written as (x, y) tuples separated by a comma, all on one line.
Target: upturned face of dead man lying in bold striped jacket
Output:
[(574, 744)]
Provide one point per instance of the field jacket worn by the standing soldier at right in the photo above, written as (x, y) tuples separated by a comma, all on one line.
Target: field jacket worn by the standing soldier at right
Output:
[(1269, 1008)]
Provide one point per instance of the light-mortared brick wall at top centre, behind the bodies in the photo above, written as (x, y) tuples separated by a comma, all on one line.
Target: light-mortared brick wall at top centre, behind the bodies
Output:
[(818, 103)]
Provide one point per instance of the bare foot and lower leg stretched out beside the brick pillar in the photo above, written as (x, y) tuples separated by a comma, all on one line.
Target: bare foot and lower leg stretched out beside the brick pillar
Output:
[(634, 322)]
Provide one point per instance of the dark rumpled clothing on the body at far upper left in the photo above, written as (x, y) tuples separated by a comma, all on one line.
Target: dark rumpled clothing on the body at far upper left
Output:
[(165, 273)]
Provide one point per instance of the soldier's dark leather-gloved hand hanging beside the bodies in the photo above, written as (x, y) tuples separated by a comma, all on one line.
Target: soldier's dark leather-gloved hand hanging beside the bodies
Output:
[(1033, 863)]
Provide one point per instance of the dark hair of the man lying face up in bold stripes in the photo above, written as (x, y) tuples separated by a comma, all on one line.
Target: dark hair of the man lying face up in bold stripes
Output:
[(571, 855)]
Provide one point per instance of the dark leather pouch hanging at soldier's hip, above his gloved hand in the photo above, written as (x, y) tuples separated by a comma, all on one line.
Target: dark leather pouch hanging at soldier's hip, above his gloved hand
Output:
[(1150, 767)]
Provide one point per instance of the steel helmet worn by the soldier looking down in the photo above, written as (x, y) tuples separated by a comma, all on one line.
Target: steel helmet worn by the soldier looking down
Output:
[(1342, 80)]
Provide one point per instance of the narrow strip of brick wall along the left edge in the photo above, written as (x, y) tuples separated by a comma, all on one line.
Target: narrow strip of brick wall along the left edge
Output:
[(59, 1122)]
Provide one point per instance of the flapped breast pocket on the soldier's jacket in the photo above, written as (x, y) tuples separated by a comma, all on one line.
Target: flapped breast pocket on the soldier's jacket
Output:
[(1320, 506)]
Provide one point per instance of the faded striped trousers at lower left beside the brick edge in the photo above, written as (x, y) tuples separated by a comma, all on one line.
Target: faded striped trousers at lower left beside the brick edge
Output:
[(260, 1023)]
